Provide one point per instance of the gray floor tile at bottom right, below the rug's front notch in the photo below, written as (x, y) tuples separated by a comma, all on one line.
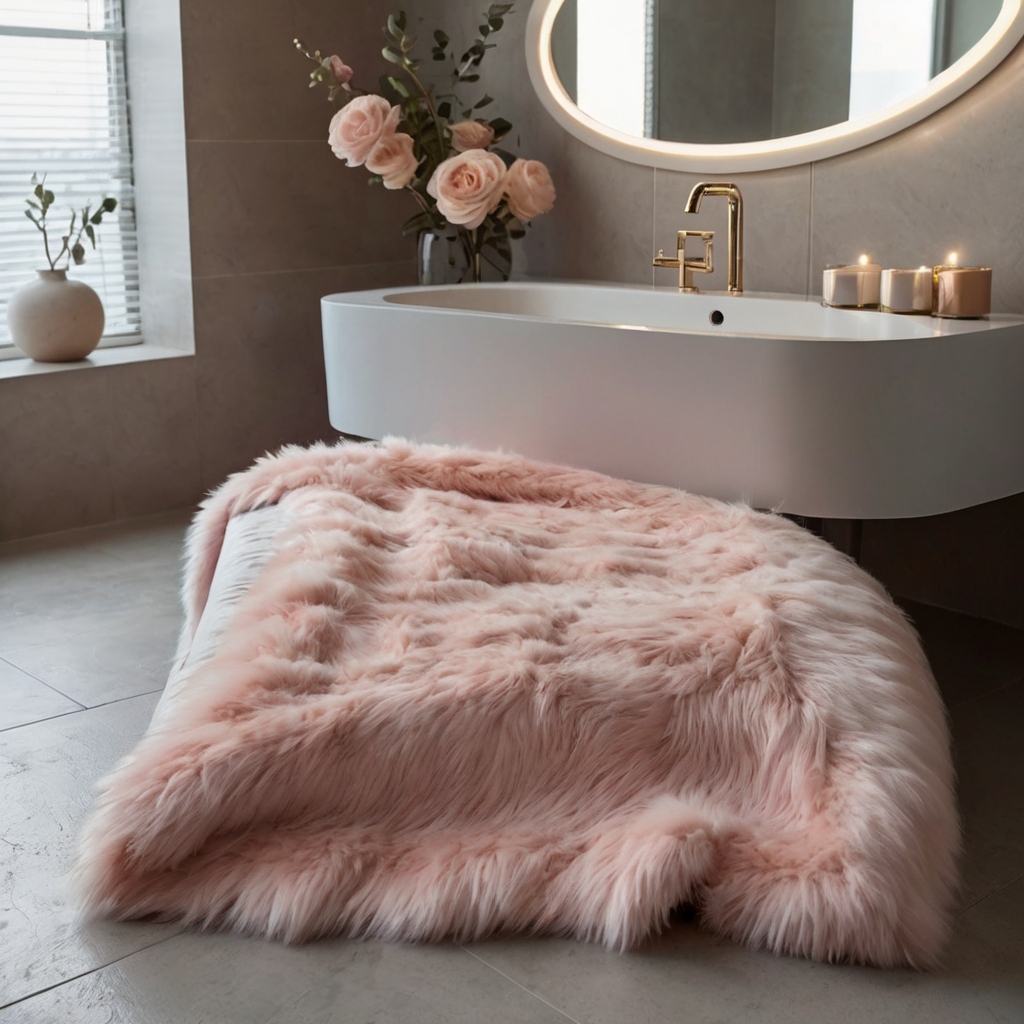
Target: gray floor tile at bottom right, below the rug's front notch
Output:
[(689, 975)]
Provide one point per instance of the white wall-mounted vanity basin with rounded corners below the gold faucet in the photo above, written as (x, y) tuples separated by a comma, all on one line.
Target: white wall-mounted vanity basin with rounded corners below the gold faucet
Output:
[(784, 405)]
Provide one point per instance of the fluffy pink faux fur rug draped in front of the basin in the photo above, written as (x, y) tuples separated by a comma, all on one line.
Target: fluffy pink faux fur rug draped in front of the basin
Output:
[(476, 694)]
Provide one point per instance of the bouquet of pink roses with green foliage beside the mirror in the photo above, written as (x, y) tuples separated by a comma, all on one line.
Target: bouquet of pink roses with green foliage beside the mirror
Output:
[(468, 188)]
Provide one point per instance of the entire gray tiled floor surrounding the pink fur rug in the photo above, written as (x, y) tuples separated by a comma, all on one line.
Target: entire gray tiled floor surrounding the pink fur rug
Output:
[(89, 624)]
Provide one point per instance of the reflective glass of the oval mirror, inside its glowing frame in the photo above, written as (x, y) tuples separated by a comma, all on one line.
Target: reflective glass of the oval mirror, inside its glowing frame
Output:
[(744, 71)]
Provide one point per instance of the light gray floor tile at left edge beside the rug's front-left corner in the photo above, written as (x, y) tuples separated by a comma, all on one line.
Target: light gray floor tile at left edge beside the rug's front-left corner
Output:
[(48, 772)]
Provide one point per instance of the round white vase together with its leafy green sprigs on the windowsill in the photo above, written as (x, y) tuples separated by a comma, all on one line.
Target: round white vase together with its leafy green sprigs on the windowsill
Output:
[(53, 319)]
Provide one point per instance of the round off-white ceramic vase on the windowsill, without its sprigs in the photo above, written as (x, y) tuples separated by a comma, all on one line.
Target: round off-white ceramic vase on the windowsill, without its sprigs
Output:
[(55, 320)]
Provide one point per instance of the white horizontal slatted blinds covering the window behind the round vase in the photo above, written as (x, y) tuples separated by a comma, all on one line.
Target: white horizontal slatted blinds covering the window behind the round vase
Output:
[(64, 113)]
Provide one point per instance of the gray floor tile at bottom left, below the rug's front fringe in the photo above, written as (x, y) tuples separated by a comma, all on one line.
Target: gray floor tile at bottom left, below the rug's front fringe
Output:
[(227, 979)]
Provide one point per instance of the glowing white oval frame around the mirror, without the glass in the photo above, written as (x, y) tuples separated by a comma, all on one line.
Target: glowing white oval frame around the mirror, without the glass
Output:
[(985, 57)]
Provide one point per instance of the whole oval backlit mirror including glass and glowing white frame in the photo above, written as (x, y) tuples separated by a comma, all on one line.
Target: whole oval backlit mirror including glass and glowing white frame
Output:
[(742, 86)]
